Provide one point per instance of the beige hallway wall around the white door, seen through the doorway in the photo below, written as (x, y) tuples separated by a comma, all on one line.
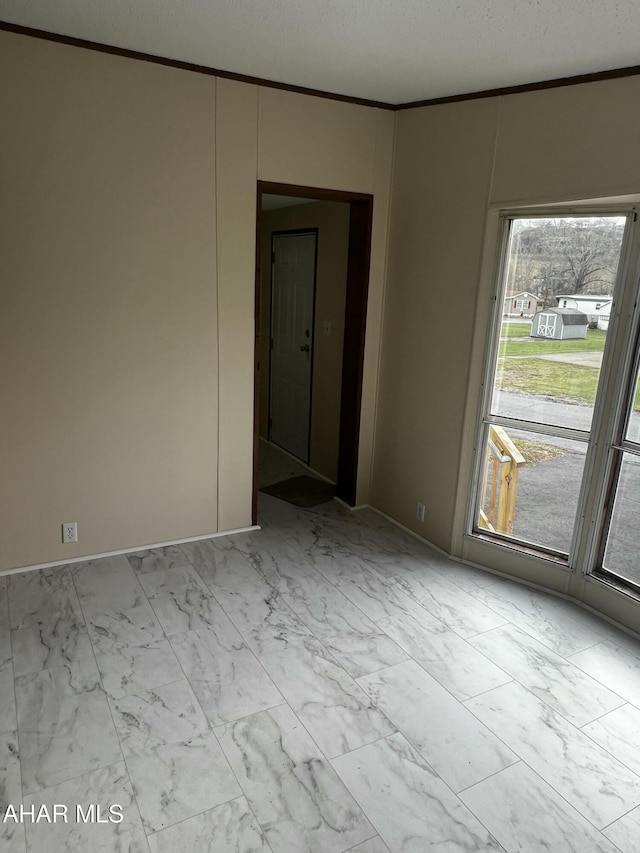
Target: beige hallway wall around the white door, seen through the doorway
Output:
[(332, 221)]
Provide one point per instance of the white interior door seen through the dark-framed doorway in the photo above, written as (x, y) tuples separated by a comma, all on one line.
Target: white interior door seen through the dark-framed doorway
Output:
[(292, 300)]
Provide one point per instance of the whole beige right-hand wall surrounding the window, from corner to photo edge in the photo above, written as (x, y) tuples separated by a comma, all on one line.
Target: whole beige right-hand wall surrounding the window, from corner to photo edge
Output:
[(455, 167)]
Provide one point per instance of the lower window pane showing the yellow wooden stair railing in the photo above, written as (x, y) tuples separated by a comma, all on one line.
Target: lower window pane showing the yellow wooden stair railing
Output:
[(529, 487)]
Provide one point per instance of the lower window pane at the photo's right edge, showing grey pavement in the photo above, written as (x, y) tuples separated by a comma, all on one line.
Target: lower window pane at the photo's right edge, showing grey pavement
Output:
[(621, 554)]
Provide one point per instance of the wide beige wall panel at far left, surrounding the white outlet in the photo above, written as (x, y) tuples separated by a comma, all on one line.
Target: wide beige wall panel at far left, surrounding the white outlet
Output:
[(108, 310)]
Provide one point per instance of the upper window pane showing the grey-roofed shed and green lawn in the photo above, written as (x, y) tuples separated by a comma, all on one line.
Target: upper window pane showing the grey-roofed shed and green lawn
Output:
[(550, 355)]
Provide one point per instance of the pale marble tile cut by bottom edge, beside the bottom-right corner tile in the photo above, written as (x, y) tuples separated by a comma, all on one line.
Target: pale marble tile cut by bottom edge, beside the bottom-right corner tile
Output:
[(526, 815)]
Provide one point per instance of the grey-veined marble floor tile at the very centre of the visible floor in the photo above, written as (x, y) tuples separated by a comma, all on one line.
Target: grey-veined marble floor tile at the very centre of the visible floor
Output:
[(334, 709)]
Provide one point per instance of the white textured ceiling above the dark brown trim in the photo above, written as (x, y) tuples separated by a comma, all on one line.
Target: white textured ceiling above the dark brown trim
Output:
[(395, 51)]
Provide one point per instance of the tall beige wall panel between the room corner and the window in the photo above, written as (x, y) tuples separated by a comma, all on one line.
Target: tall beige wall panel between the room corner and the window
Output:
[(441, 183)]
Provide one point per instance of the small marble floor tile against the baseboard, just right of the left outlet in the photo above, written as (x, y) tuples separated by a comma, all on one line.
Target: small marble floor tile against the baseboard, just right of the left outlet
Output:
[(106, 585)]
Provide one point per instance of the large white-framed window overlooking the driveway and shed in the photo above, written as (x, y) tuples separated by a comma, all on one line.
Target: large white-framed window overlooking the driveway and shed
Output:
[(560, 422)]
